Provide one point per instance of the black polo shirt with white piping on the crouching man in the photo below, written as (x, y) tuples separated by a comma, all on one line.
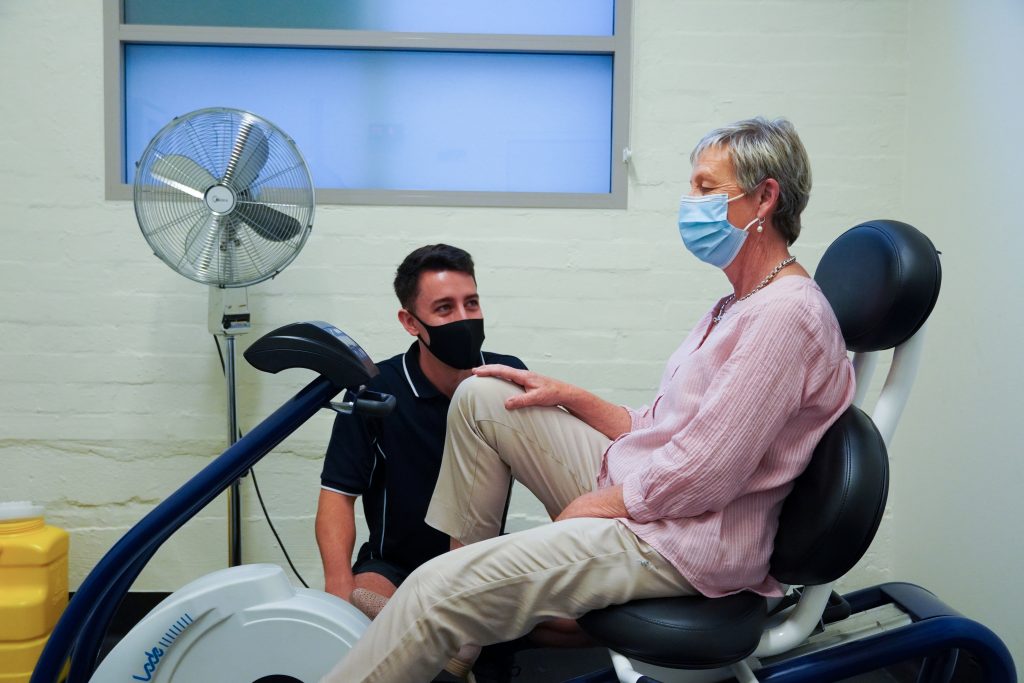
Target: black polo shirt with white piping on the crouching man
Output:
[(394, 462)]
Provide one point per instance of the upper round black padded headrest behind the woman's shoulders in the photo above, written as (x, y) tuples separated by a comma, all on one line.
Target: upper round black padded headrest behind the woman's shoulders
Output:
[(882, 279)]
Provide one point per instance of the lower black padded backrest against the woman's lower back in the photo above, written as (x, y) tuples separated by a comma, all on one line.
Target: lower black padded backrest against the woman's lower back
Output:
[(831, 517)]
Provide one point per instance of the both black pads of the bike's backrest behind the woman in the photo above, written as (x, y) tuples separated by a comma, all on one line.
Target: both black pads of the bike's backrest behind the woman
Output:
[(882, 279)]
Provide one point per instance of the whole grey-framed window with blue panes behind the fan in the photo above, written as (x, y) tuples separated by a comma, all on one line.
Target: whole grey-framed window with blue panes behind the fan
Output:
[(477, 103)]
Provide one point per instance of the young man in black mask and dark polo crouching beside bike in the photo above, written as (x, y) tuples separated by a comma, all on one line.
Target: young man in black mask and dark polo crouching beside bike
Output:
[(394, 462)]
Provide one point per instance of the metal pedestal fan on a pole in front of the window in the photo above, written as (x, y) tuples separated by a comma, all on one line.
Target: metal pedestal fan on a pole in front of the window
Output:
[(226, 199)]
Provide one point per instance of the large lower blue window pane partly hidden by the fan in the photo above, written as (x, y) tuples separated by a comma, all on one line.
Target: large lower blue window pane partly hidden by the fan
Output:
[(393, 119)]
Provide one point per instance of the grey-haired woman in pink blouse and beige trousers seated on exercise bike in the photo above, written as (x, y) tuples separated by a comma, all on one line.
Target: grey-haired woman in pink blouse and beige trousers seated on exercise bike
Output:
[(679, 497)]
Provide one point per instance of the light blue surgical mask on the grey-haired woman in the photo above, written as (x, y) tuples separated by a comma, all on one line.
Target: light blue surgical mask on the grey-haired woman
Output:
[(707, 231)]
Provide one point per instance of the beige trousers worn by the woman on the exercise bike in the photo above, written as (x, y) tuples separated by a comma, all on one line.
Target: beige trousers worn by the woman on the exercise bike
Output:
[(498, 589)]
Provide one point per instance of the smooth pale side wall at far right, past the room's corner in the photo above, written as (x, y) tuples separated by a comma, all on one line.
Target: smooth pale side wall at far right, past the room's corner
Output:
[(958, 467)]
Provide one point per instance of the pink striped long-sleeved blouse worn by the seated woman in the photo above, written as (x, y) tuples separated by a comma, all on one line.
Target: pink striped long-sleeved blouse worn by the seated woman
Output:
[(705, 468)]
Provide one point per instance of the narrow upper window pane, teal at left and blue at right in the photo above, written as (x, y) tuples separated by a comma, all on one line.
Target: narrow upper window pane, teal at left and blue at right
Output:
[(570, 18)]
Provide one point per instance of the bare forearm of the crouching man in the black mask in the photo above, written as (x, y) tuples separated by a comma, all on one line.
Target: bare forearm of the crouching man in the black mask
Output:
[(336, 538)]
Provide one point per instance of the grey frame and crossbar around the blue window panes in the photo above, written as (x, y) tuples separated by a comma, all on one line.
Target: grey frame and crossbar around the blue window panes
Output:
[(117, 34)]
